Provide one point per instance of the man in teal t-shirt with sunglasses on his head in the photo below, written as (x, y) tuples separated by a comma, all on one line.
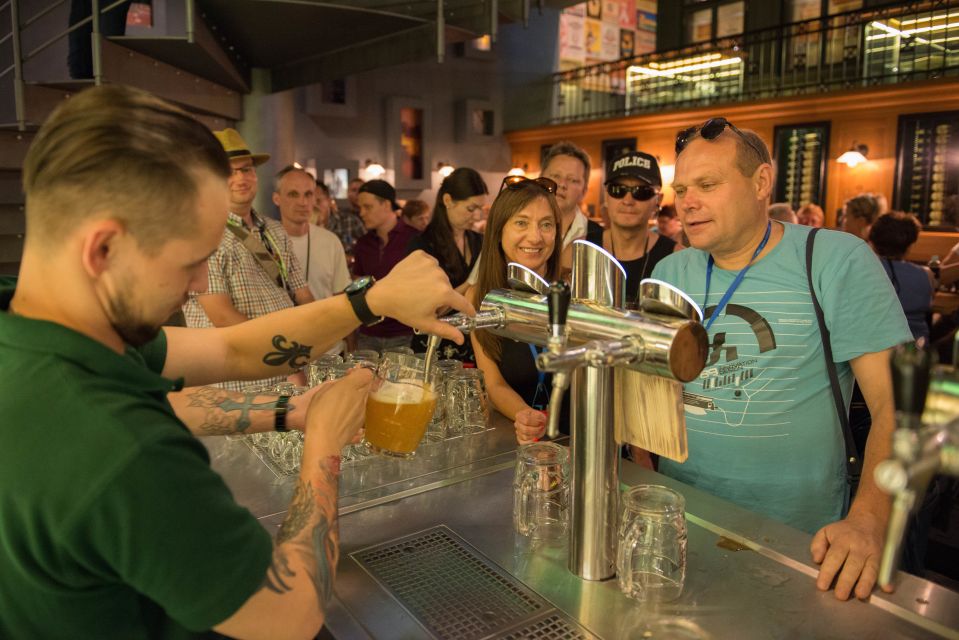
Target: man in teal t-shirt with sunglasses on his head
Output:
[(769, 436)]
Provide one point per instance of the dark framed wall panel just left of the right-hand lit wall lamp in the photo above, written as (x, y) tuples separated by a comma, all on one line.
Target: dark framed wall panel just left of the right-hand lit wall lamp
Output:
[(800, 152)]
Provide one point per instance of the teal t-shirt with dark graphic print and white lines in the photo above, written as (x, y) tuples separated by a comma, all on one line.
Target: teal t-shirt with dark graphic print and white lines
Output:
[(761, 421)]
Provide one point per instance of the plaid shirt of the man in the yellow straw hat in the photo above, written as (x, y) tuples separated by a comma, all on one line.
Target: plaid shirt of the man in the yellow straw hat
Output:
[(234, 271)]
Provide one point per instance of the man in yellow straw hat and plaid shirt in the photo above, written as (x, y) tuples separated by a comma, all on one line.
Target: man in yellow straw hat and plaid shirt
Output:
[(254, 271)]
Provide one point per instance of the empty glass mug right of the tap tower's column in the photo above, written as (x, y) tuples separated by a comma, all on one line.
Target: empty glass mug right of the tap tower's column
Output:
[(651, 560)]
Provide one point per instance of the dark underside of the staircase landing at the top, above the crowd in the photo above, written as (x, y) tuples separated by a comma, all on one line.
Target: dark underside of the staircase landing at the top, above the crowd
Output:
[(306, 41)]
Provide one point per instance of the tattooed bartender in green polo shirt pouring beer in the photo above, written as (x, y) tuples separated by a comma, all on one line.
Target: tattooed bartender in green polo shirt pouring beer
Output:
[(112, 524)]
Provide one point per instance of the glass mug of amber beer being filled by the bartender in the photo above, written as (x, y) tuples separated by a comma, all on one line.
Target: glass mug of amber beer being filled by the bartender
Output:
[(399, 407)]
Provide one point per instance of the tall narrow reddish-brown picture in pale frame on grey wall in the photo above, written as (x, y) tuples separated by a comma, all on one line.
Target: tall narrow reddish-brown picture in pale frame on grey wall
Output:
[(407, 142)]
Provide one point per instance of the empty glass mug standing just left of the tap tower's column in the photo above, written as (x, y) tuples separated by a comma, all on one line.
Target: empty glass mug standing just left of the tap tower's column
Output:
[(541, 491)]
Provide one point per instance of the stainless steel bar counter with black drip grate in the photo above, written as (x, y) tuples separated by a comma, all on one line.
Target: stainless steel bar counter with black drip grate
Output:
[(435, 555)]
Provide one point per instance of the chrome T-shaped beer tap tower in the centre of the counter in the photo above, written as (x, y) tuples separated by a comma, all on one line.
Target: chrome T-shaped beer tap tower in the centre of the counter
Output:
[(587, 332)]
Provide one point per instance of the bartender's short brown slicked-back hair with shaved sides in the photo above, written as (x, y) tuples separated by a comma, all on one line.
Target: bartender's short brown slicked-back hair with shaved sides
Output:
[(123, 151)]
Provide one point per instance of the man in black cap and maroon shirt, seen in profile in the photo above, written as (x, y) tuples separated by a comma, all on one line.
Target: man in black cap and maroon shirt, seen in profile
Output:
[(377, 252)]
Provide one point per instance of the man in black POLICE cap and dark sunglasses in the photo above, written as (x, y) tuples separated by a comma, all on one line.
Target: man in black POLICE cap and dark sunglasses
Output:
[(633, 189)]
